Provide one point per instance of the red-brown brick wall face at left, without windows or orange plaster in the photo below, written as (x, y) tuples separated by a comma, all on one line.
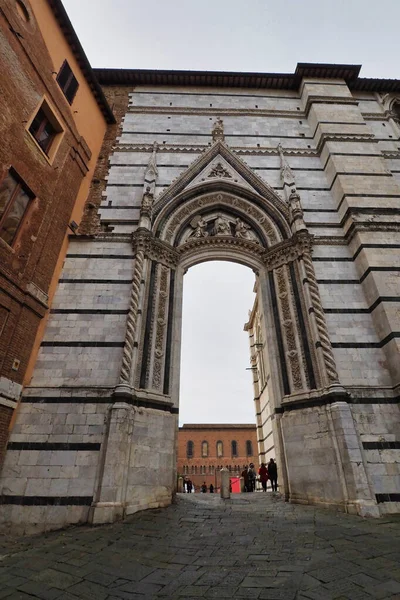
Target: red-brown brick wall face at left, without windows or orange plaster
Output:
[(28, 266)]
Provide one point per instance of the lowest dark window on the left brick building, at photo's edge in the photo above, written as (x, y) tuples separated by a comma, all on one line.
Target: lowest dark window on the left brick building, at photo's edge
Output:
[(14, 200)]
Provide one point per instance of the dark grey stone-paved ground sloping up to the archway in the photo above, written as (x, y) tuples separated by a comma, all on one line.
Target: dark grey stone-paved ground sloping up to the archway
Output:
[(252, 546)]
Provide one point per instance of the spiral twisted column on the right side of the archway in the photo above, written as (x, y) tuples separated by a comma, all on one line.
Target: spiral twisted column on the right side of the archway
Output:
[(319, 314)]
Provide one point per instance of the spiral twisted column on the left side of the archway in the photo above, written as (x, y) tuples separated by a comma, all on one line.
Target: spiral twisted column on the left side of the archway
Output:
[(127, 356)]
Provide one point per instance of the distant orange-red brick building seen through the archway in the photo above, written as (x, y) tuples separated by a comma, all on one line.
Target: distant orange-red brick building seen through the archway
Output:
[(203, 450)]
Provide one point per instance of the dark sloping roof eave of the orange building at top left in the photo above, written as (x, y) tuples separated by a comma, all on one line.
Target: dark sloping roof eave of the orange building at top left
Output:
[(69, 32)]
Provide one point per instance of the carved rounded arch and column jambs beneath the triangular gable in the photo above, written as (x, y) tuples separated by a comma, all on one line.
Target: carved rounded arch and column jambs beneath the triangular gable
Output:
[(222, 225)]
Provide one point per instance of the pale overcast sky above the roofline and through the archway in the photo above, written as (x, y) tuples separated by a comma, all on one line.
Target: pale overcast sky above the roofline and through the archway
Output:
[(231, 35)]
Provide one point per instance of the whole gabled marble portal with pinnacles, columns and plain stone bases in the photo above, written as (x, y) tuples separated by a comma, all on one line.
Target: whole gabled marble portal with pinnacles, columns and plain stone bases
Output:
[(219, 209)]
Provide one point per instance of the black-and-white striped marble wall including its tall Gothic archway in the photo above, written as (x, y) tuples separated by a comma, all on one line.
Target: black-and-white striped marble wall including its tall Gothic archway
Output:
[(296, 176)]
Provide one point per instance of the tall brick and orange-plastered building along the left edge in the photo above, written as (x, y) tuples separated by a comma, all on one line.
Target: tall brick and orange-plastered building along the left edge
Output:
[(53, 117)]
